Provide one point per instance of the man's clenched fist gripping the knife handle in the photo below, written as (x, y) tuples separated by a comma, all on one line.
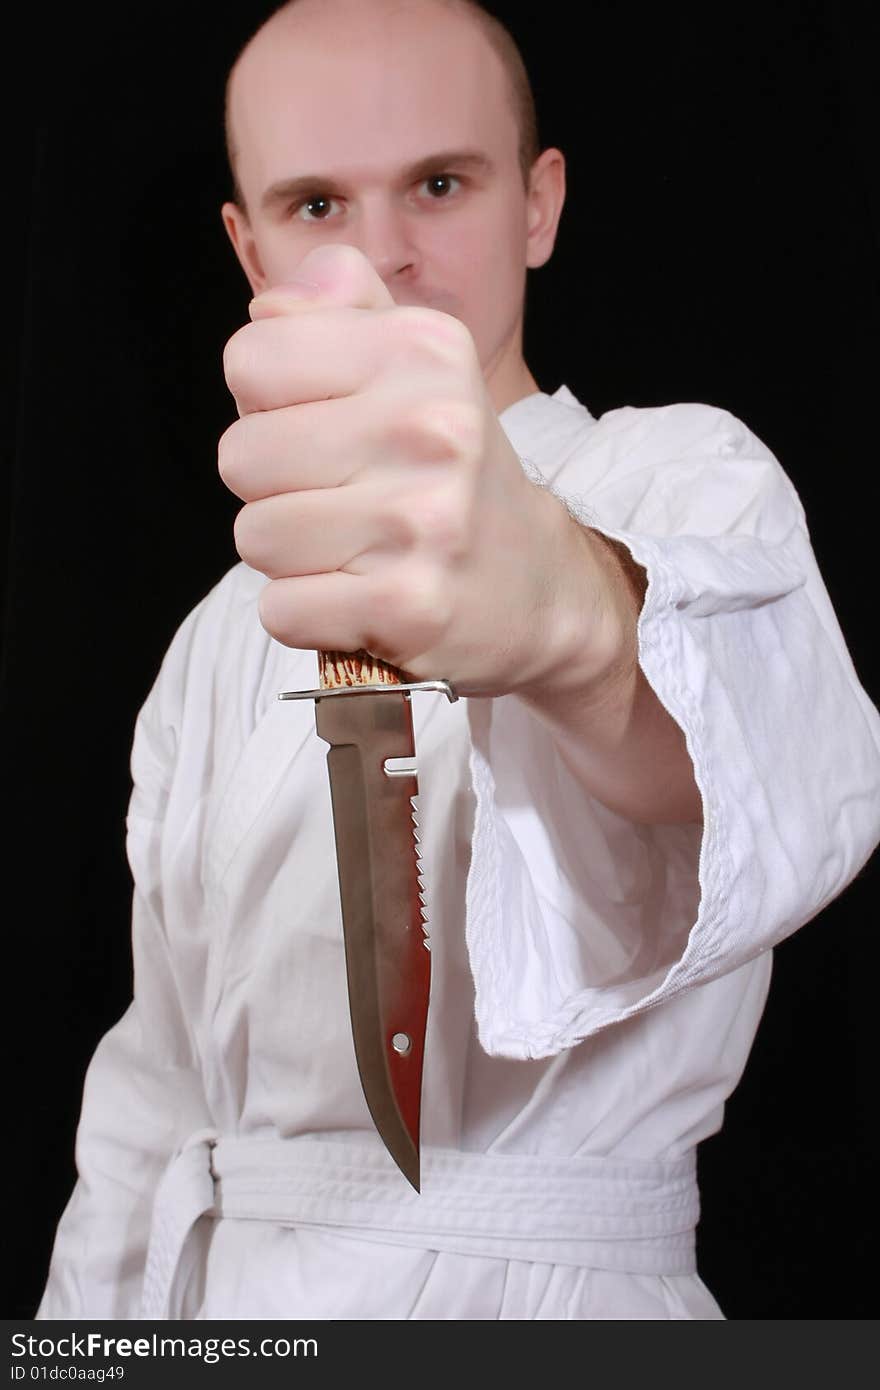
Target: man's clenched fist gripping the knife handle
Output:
[(384, 501)]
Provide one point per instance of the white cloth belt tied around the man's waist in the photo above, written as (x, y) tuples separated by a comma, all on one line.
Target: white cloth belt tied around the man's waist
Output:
[(628, 1216)]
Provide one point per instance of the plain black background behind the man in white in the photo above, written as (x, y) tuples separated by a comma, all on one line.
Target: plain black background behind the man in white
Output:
[(719, 245)]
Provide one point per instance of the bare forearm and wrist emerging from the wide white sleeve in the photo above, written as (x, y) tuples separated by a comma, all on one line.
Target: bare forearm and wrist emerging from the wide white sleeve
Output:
[(608, 725)]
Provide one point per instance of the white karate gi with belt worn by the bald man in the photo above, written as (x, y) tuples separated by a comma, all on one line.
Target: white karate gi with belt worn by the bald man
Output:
[(617, 974)]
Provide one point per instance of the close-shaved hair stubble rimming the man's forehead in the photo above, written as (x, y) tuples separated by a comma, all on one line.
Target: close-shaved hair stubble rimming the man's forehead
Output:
[(320, 22)]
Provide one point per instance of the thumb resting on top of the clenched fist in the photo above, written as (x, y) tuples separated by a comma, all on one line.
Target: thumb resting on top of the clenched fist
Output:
[(329, 276)]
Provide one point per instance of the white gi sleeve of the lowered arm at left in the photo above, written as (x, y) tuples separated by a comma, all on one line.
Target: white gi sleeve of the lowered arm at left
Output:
[(142, 1093)]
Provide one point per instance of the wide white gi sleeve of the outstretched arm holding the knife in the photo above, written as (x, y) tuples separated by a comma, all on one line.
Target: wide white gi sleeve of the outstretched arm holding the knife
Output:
[(578, 919)]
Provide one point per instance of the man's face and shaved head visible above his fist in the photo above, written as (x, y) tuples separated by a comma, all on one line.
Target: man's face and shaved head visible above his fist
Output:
[(390, 129)]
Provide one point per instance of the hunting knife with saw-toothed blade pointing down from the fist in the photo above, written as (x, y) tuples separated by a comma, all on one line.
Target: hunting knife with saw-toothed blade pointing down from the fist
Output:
[(364, 711)]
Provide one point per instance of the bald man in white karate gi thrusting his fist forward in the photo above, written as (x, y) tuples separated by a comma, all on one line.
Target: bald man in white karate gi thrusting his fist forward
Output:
[(619, 821)]
